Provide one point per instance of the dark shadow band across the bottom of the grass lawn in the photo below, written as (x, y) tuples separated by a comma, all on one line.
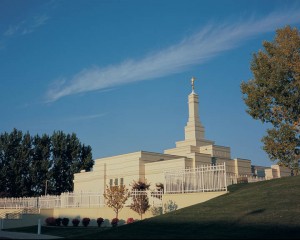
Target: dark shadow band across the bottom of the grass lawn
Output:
[(165, 230)]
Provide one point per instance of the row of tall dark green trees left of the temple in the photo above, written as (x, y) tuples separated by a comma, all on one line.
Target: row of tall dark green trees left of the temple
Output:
[(26, 163)]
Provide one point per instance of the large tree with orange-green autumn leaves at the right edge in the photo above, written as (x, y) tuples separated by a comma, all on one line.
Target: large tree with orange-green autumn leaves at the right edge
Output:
[(273, 95)]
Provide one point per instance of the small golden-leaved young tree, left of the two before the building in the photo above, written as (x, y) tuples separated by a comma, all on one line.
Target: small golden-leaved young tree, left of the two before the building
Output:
[(115, 197)]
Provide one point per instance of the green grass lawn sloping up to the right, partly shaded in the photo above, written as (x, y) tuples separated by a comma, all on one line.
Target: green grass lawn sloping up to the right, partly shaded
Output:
[(262, 210)]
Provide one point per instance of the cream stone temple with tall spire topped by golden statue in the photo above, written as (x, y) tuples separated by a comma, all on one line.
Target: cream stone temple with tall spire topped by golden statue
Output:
[(194, 151)]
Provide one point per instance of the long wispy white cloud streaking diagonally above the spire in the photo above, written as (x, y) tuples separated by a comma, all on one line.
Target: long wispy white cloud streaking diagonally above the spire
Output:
[(196, 49)]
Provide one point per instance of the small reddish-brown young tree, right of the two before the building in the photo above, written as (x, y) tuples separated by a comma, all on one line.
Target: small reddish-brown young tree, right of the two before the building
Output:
[(140, 200)]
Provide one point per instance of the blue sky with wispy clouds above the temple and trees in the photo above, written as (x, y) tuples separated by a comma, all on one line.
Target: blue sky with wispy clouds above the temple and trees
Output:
[(117, 73)]
